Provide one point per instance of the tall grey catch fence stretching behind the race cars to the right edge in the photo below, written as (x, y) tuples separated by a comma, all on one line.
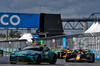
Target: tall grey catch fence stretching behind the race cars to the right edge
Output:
[(84, 41)]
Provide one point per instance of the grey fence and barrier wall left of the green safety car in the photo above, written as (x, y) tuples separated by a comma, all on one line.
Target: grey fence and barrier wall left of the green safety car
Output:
[(12, 45)]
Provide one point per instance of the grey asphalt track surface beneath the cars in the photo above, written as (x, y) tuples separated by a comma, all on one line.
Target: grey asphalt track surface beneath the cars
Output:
[(60, 62)]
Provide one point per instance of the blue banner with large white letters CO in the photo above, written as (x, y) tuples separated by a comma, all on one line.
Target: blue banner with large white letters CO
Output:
[(24, 20)]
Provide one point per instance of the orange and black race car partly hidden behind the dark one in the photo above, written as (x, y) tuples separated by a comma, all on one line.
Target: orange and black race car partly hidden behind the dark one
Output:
[(62, 53)]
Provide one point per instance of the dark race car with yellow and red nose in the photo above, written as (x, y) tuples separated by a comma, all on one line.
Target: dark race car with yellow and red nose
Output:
[(80, 55)]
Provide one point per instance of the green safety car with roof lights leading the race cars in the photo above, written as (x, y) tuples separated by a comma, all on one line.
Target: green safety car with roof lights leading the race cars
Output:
[(33, 54)]
